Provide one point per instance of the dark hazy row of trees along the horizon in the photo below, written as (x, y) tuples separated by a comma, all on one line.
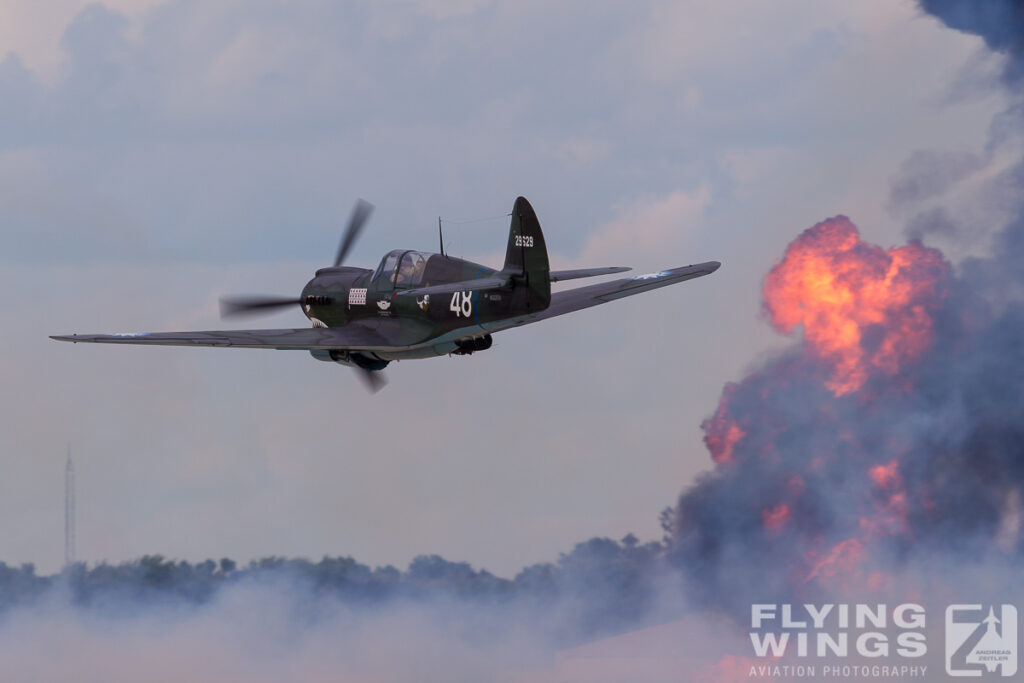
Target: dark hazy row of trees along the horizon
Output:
[(601, 587)]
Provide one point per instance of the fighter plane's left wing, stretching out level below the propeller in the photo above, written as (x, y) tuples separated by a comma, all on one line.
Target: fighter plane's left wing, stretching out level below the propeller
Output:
[(352, 337)]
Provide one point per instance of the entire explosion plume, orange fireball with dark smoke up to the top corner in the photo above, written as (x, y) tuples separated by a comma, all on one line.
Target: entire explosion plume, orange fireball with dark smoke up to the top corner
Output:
[(891, 438)]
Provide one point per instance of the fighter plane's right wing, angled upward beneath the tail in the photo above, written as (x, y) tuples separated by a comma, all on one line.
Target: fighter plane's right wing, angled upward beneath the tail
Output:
[(594, 295)]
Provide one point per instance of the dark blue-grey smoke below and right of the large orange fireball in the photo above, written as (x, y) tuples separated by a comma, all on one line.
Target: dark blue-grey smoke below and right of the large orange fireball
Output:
[(824, 495)]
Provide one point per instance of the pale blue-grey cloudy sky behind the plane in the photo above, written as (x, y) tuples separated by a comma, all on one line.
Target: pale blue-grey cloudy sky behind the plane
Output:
[(156, 156)]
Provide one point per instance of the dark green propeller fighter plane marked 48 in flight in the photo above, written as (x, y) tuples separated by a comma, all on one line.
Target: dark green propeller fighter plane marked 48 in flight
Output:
[(416, 305)]
